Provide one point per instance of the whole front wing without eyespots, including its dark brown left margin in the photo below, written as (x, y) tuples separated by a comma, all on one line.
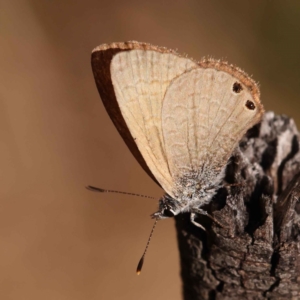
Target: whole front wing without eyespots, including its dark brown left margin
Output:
[(132, 79)]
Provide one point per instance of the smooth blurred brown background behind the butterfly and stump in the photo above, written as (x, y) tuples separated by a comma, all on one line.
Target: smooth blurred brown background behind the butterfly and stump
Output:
[(58, 240)]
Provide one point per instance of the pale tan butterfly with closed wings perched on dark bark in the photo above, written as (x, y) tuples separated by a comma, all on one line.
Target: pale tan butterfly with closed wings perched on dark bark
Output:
[(181, 119)]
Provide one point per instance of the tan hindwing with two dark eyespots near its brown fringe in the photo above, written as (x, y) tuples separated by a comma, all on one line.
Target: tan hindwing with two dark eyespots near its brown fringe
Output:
[(205, 113)]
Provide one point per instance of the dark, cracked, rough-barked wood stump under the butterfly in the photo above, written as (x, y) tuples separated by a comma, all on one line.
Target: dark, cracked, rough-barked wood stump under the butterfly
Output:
[(256, 255)]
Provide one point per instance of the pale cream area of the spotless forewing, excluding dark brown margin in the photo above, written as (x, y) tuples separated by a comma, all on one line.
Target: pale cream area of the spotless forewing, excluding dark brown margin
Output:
[(140, 79)]
